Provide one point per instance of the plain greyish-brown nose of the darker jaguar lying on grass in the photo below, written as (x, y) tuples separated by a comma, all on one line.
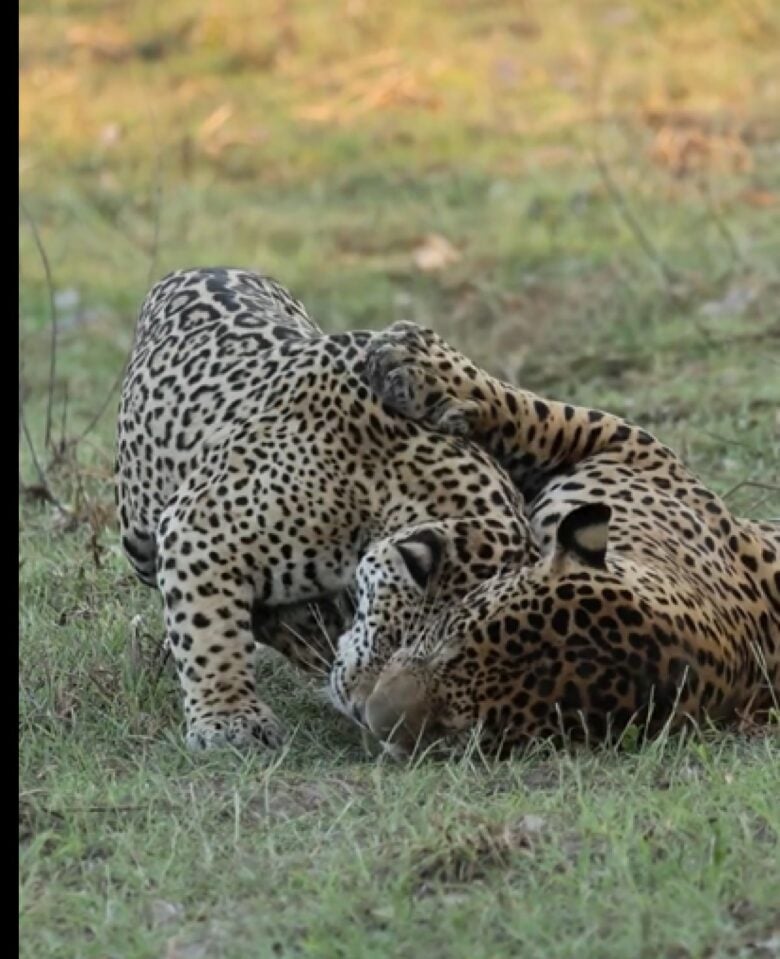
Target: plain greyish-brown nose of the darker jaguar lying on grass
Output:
[(398, 710)]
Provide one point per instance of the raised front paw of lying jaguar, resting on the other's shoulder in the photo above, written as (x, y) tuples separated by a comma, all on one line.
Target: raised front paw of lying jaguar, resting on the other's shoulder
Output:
[(401, 368)]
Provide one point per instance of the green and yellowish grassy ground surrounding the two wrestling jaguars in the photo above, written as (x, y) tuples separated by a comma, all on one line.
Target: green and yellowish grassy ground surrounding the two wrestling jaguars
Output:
[(153, 138)]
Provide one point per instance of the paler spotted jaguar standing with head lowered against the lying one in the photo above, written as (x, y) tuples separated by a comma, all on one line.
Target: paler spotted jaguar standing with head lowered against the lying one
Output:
[(254, 468)]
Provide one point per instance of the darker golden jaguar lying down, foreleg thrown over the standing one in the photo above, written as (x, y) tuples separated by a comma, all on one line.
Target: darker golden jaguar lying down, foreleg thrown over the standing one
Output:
[(648, 603)]
